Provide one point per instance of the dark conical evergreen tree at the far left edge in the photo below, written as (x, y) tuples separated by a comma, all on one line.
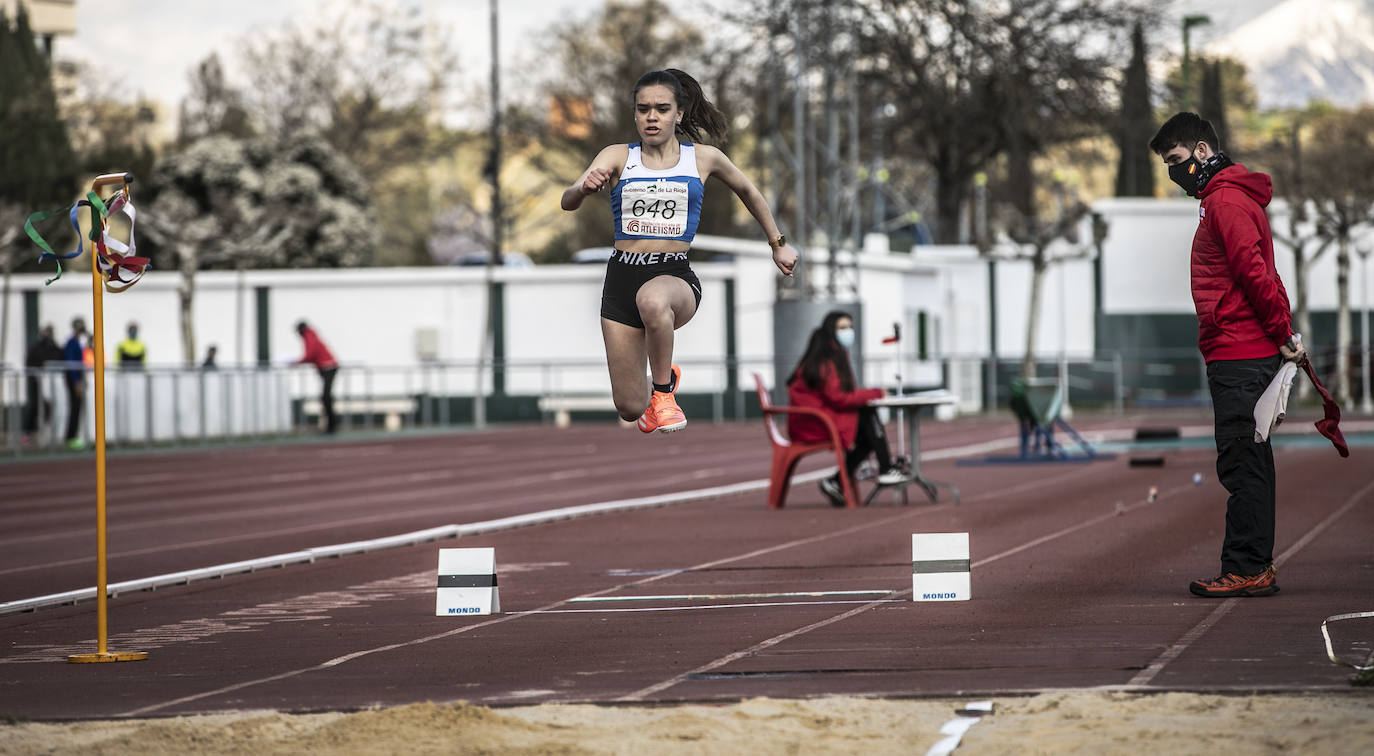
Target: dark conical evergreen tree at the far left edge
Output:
[(39, 167)]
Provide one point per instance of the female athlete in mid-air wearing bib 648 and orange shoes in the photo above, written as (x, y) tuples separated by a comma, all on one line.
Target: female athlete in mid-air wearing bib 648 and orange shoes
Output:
[(651, 289)]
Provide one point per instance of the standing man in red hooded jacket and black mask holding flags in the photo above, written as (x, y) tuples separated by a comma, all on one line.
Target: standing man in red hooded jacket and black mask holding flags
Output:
[(1244, 335)]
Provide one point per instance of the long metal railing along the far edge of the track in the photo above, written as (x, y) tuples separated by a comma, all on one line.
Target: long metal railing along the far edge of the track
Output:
[(174, 406)]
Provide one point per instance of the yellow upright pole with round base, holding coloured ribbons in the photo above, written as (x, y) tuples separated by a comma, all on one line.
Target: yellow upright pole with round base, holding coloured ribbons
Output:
[(98, 324)]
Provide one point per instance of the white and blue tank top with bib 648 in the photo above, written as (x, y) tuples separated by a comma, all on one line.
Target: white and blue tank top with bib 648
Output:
[(651, 204)]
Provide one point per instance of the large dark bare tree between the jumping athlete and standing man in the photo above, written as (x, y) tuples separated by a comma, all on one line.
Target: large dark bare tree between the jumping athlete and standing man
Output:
[(979, 79)]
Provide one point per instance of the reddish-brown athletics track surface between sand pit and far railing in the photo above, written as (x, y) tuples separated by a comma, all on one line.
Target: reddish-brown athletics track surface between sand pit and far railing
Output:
[(1079, 578)]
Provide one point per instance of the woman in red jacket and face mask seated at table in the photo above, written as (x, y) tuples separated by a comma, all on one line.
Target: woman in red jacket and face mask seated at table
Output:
[(825, 381)]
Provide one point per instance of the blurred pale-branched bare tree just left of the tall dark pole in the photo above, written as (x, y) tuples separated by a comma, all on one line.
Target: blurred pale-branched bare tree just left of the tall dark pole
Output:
[(373, 79)]
